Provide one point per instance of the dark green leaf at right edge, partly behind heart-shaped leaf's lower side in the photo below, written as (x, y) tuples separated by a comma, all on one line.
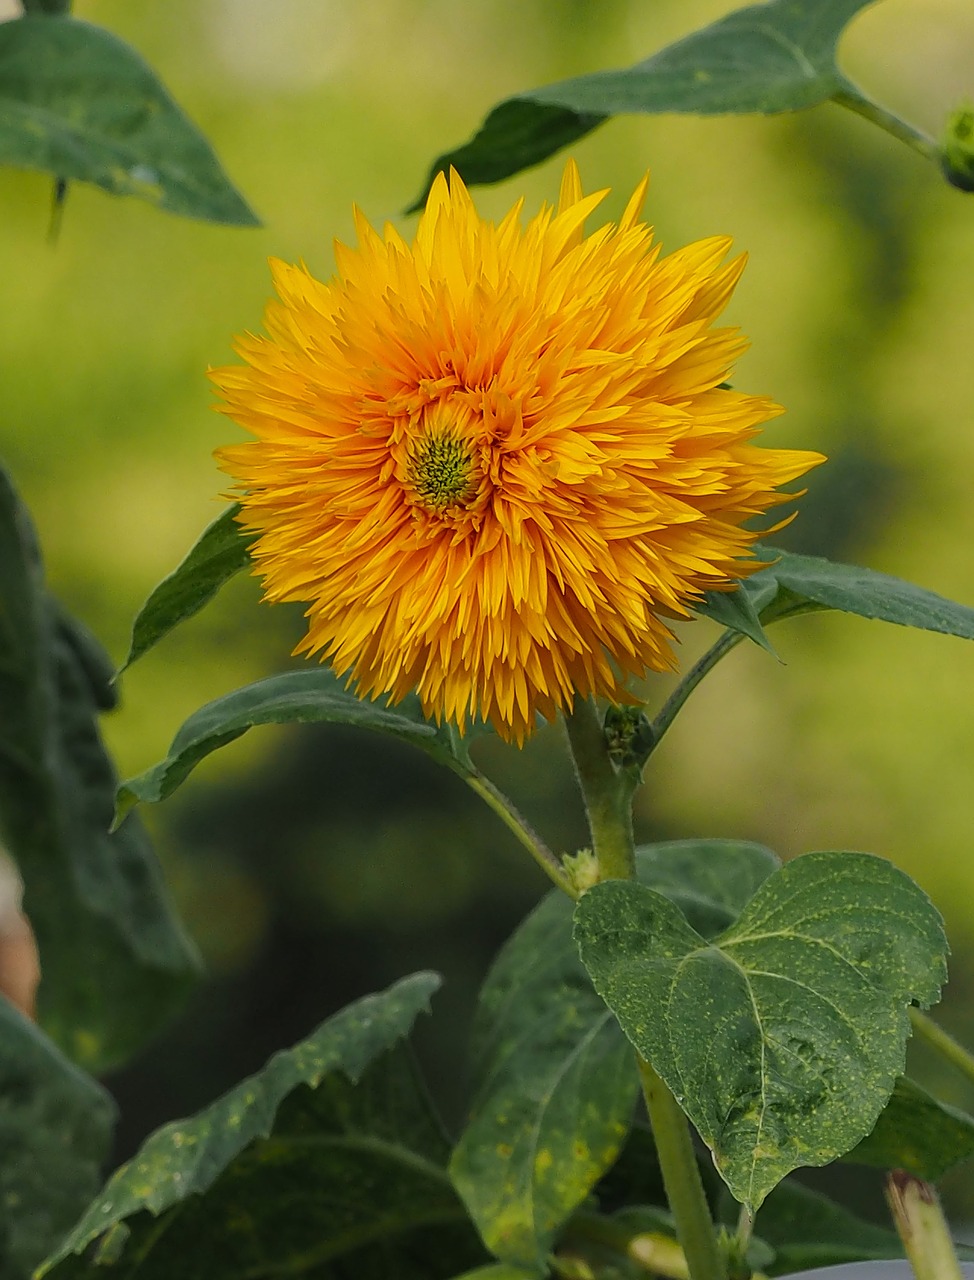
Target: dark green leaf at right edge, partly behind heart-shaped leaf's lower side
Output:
[(917, 1133)]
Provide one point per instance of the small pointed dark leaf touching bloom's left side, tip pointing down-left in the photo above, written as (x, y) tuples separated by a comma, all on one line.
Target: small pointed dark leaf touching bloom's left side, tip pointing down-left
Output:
[(221, 552)]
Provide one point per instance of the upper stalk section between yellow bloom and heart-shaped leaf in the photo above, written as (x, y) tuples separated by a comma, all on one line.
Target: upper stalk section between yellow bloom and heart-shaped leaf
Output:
[(607, 793)]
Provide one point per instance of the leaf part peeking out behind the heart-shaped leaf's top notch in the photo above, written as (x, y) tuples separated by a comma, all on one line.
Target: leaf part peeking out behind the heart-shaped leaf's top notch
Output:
[(711, 881)]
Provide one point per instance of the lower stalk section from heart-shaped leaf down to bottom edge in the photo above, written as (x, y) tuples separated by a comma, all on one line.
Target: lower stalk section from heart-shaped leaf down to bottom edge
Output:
[(682, 1178)]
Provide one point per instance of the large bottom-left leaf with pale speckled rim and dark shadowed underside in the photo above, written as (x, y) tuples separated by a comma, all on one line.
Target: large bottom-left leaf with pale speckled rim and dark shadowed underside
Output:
[(328, 1163)]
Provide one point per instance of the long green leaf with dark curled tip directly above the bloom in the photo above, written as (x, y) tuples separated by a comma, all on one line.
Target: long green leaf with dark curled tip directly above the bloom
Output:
[(778, 57)]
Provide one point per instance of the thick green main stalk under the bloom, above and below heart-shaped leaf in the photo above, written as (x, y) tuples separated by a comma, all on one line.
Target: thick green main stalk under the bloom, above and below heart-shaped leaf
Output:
[(607, 790)]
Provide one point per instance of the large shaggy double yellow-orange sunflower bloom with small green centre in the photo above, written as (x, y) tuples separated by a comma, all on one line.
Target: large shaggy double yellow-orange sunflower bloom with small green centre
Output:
[(496, 460)]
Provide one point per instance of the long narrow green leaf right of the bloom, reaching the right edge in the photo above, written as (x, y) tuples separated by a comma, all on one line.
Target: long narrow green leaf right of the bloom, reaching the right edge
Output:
[(806, 584)]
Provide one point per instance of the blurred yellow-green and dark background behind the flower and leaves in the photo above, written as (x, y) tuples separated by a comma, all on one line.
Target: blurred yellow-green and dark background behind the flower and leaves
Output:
[(317, 866)]
